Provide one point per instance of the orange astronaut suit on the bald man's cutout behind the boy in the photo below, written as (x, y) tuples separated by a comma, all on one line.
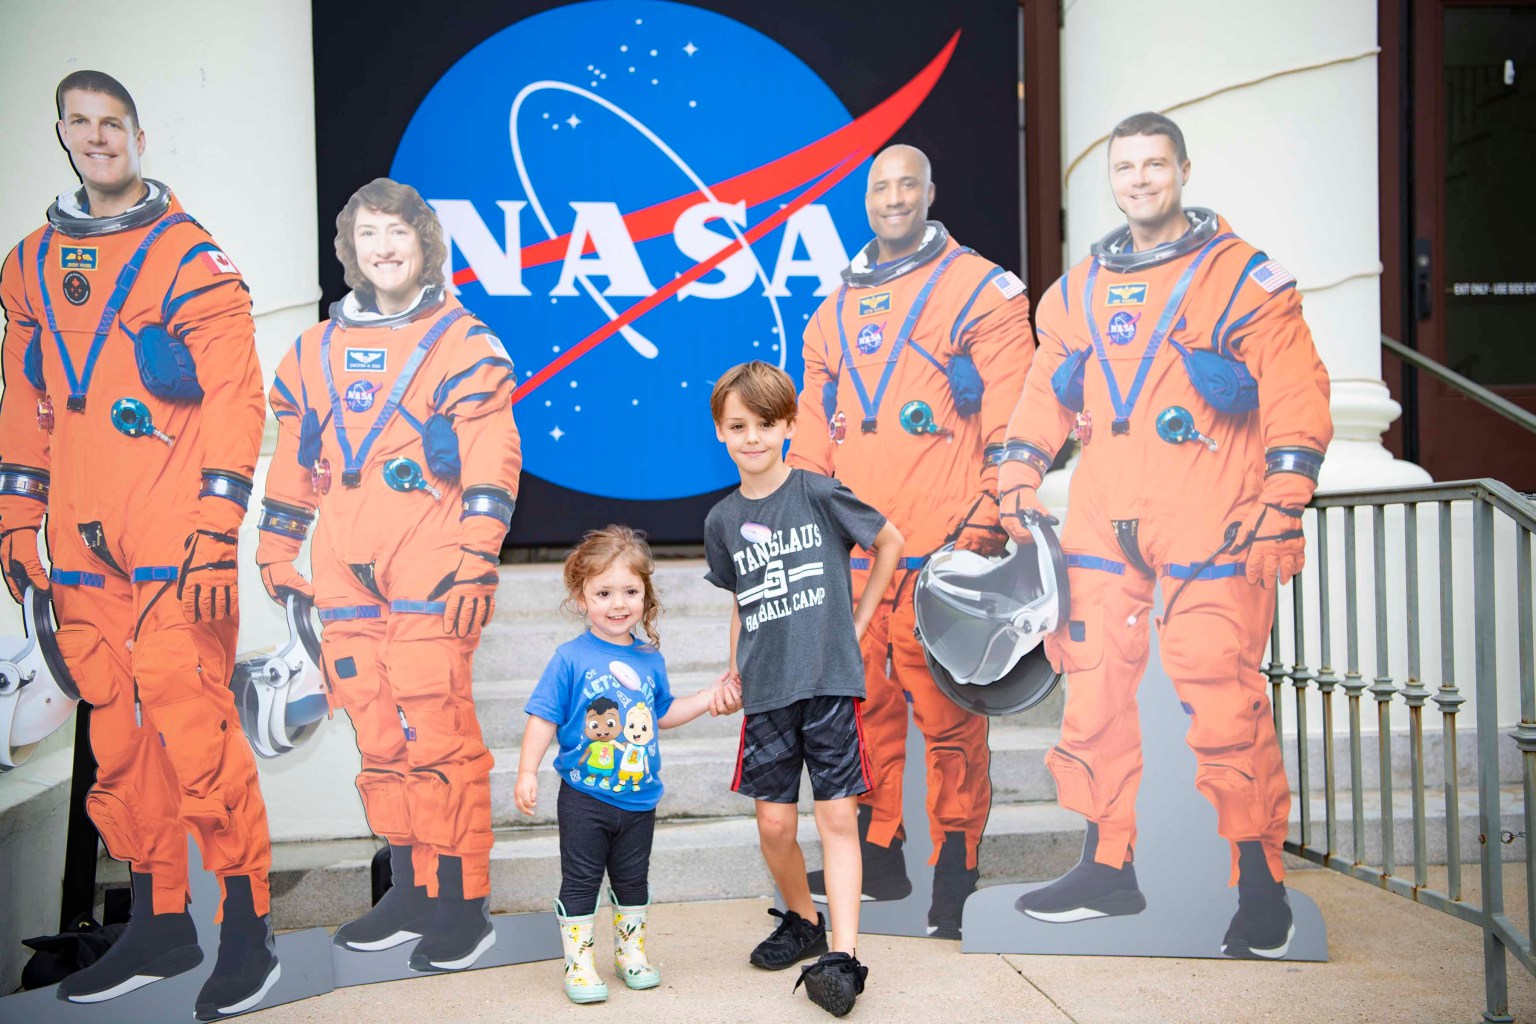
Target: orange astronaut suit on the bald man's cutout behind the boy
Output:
[(879, 360)]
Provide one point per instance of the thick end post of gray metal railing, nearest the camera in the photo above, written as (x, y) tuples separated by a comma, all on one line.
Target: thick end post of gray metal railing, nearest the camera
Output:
[(1491, 824)]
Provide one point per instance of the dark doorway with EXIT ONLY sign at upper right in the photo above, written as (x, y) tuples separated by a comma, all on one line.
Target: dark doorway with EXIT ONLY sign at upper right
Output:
[(1460, 144)]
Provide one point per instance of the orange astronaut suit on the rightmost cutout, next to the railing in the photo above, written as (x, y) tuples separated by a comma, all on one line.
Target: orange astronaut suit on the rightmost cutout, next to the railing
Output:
[(1170, 486)]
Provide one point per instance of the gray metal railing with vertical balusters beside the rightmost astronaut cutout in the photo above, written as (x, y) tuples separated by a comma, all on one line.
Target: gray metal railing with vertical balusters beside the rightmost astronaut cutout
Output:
[(1405, 621)]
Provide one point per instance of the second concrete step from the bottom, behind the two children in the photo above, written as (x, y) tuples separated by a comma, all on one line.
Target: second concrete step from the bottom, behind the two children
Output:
[(698, 775)]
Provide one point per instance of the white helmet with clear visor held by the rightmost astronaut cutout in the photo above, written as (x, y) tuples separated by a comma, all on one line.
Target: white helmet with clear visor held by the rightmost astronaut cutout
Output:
[(981, 621)]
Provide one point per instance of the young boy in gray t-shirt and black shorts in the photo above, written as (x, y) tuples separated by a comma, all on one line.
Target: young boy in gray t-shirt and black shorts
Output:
[(781, 544)]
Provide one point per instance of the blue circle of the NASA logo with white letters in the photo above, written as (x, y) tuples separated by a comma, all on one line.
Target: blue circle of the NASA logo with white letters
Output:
[(586, 157)]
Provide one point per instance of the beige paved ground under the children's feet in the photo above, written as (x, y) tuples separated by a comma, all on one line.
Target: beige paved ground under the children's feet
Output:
[(1394, 962)]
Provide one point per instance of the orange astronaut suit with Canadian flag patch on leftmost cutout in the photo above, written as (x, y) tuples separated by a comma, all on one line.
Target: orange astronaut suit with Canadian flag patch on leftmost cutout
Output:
[(122, 322)]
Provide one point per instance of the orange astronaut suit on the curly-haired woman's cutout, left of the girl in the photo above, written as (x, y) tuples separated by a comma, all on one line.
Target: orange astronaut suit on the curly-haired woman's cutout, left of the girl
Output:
[(388, 560)]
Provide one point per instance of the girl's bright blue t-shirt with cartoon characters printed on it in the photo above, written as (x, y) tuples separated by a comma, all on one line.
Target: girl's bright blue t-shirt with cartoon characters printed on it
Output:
[(606, 701)]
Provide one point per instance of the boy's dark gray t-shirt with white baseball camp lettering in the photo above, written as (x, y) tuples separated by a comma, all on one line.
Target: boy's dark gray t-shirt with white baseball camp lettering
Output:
[(786, 558)]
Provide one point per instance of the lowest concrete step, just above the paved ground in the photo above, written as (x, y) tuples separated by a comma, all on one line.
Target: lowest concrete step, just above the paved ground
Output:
[(325, 884)]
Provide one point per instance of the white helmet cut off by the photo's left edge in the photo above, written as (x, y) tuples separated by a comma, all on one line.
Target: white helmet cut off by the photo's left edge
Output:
[(38, 693)]
